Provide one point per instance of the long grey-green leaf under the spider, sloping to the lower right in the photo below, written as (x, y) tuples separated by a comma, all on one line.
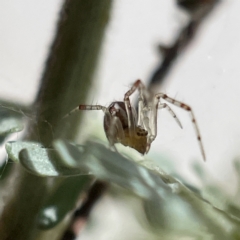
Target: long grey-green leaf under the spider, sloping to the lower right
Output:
[(167, 198)]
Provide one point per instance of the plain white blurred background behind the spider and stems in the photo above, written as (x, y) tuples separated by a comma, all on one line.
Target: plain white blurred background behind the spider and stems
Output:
[(205, 76)]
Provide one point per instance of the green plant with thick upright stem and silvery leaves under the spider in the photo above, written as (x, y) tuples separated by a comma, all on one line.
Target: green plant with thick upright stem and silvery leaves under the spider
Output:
[(52, 172)]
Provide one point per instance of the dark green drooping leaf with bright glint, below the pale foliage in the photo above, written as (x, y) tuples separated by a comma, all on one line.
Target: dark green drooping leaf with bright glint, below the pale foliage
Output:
[(61, 201)]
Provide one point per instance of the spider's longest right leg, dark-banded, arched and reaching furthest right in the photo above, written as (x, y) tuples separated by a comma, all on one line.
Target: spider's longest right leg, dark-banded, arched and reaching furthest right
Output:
[(185, 107)]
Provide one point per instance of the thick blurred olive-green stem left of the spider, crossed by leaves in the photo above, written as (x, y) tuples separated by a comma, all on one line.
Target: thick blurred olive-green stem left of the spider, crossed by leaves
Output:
[(65, 83)]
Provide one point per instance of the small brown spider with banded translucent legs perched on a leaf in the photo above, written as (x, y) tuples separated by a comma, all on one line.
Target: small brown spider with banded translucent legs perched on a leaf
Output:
[(122, 123)]
